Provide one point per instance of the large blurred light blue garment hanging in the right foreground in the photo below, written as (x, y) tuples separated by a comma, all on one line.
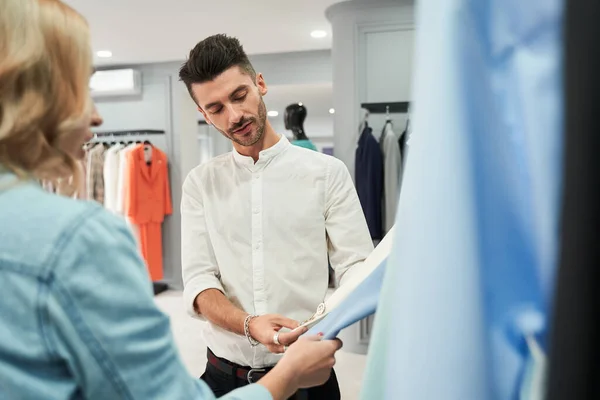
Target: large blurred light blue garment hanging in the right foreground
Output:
[(474, 258)]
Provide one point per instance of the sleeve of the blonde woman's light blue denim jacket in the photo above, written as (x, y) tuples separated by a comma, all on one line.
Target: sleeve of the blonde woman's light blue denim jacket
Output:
[(103, 322)]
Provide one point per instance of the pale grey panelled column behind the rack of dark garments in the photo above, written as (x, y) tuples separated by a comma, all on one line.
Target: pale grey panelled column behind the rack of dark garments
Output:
[(372, 62)]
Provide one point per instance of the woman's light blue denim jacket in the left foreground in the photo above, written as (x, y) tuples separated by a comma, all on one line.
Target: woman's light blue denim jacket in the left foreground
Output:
[(77, 308)]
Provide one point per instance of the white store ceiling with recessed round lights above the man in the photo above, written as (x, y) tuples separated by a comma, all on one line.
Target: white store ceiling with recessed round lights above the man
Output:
[(147, 31)]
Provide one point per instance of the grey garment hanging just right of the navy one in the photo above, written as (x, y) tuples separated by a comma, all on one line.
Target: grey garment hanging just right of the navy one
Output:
[(392, 170)]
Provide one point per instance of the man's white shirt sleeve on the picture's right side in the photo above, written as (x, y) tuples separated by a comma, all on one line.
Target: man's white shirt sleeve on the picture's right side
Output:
[(348, 238)]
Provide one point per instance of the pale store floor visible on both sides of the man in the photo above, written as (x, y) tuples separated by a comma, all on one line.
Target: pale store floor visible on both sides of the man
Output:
[(349, 367)]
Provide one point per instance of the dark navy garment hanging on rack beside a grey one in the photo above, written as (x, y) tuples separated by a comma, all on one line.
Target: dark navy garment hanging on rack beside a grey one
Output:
[(369, 180)]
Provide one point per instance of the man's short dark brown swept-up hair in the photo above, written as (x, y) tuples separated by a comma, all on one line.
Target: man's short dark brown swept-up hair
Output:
[(213, 56)]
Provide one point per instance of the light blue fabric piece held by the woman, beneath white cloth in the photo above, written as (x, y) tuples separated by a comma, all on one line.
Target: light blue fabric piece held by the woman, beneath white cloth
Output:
[(359, 304)]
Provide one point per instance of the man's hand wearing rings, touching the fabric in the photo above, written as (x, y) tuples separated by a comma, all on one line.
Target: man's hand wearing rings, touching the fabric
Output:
[(263, 329)]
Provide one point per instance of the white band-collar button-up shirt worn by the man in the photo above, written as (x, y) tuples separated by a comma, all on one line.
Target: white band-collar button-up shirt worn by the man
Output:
[(261, 233)]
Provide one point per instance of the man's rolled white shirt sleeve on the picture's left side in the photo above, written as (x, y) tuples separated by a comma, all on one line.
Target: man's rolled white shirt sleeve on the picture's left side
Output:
[(199, 265)]
